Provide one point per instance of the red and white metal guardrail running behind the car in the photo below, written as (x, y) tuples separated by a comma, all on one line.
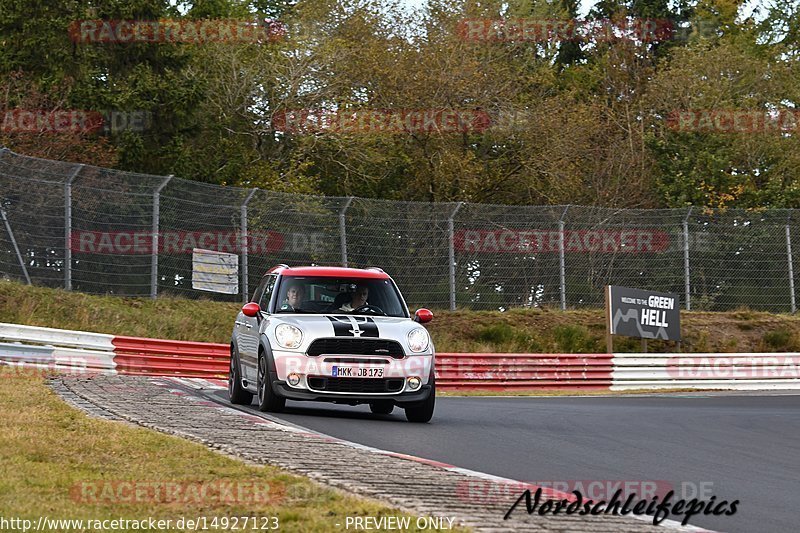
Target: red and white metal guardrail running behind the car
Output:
[(80, 352)]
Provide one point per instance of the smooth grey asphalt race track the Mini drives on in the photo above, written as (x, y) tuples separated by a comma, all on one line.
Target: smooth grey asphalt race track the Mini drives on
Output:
[(732, 446)]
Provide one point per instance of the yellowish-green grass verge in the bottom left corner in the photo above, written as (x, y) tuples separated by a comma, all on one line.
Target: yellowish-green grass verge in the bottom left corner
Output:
[(57, 462)]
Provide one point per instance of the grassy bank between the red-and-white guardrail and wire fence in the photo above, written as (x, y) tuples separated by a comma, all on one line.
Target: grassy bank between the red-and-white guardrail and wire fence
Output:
[(517, 330)]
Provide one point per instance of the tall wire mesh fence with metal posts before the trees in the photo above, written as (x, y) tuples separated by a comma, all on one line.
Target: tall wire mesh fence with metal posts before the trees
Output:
[(103, 231)]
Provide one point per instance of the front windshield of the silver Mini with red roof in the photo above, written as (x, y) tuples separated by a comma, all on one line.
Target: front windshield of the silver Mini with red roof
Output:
[(376, 297)]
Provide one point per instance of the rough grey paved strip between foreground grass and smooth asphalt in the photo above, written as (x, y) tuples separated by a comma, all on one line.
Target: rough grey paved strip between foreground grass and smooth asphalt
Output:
[(420, 488)]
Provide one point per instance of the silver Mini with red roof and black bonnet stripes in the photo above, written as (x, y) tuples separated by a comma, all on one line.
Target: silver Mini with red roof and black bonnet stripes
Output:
[(332, 334)]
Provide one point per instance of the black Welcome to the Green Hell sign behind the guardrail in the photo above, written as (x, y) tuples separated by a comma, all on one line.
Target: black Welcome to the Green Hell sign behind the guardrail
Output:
[(645, 314)]
